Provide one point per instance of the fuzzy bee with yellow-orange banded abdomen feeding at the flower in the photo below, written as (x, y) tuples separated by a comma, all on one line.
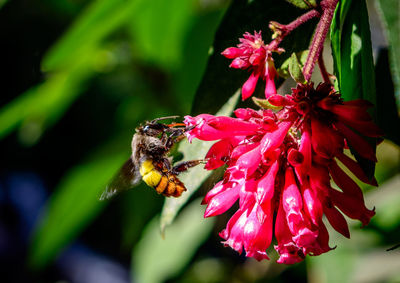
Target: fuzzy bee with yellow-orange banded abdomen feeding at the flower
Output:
[(150, 162)]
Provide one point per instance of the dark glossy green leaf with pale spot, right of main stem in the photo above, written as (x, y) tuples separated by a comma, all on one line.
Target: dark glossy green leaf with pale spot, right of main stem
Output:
[(353, 61)]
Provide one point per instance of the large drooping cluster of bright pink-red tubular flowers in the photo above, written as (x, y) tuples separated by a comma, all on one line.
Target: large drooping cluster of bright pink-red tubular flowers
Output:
[(280, 166)]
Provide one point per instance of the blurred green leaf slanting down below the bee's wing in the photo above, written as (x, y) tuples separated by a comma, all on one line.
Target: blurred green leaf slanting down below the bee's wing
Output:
[(74, 203)]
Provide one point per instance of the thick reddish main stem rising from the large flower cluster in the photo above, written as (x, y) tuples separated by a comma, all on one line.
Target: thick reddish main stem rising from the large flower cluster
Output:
[(317, 44)]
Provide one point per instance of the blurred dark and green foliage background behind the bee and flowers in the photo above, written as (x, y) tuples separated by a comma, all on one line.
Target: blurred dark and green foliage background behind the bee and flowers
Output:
[(78, 76)]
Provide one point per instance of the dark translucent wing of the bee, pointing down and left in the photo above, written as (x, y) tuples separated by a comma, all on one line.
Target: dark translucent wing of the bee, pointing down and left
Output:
[(126, 178)]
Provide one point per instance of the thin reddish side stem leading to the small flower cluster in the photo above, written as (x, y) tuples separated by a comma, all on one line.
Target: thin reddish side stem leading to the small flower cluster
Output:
[(287, 29)]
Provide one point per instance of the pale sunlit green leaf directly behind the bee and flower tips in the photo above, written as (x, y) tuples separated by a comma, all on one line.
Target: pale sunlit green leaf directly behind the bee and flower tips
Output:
[(197, 175)]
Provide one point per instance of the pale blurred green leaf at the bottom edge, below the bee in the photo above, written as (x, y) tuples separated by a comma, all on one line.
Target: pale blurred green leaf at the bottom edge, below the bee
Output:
[(156, 259)]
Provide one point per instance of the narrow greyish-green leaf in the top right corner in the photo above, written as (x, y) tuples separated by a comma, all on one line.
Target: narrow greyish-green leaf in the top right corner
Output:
[(390, 14)]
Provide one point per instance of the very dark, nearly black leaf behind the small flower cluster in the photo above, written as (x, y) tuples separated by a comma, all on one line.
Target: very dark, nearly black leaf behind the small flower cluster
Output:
[(219, 81)]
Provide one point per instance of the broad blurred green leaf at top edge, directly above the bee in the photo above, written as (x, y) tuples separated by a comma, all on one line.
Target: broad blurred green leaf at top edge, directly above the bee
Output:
[(159, 30)]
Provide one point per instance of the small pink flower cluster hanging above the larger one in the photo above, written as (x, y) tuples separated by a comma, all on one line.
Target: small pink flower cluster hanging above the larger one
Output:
[(251, 53)]
